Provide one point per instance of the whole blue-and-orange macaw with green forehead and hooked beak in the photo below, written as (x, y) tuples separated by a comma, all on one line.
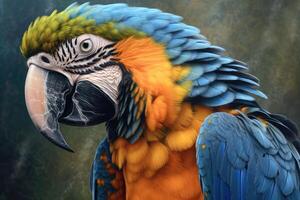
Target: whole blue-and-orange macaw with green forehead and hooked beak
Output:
[(182, 118)]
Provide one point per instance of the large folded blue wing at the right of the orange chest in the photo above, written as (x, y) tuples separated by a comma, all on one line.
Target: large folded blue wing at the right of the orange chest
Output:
[(241, 159)]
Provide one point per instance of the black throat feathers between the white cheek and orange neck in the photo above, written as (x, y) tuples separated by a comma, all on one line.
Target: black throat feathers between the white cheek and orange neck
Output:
[(127, 124)]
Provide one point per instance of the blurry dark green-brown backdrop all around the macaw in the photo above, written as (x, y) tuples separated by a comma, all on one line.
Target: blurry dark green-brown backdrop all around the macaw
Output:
[(265, 34)]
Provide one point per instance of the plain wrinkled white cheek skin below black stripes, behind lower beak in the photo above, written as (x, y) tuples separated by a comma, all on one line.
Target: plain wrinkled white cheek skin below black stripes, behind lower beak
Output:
[(107, 79)]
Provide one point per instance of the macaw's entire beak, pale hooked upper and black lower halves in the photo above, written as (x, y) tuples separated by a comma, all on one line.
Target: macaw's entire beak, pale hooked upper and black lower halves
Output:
[(51, 98)]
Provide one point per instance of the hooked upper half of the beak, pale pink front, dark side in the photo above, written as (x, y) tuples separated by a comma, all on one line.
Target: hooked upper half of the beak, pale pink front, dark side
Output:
[(45, 94)]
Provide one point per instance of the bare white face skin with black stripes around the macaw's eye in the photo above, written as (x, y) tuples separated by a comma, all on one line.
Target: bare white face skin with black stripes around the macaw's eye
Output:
[(85, 58)]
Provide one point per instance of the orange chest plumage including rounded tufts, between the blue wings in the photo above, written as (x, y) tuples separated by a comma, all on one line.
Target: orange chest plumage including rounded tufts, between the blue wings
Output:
[(163, 168)]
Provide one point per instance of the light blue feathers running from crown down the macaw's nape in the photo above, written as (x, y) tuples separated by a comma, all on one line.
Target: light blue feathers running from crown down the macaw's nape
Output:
[(185, 46)]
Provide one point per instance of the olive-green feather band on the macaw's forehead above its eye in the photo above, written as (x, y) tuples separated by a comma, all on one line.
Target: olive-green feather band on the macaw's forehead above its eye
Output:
[(47, 32)]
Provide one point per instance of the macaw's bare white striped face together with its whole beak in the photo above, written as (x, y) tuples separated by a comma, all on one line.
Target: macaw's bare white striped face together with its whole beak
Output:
[(77, 85)]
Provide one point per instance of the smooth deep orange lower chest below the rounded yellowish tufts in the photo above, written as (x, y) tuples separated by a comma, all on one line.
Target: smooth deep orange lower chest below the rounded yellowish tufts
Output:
[(176, 180)]
